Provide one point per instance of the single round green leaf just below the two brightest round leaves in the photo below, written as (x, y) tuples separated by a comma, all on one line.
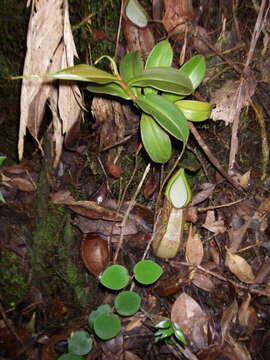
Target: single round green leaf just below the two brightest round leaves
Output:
[(127, 303)]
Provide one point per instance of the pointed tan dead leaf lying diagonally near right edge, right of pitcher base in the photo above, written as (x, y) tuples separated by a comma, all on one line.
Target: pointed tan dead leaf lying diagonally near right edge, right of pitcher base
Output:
[(240, 268)]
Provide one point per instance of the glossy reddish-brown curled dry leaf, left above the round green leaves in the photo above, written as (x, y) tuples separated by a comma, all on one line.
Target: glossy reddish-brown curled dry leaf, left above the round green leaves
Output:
[(94, 253)]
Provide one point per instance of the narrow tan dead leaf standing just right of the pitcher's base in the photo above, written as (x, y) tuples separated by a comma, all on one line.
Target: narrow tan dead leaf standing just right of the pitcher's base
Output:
[(194, 249)]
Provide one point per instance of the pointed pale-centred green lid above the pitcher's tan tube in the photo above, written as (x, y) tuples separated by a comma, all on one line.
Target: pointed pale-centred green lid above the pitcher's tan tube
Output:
[(178, 191)]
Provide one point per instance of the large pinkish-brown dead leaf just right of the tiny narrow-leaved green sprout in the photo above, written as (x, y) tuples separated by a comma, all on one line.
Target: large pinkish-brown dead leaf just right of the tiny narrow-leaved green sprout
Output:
[(186, 312)]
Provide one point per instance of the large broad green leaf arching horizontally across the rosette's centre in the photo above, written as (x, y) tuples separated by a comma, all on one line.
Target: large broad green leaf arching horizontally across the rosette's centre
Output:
[(165, 79)]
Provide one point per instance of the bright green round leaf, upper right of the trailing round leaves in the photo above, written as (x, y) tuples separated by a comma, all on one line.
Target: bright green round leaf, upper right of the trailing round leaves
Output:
[(147, 272)]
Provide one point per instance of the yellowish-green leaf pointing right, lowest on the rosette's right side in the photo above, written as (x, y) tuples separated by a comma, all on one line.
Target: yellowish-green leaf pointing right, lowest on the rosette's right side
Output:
[(194, 110)]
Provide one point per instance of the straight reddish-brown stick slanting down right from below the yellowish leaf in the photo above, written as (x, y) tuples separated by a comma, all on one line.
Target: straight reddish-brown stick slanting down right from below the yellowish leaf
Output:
[(211, 157)]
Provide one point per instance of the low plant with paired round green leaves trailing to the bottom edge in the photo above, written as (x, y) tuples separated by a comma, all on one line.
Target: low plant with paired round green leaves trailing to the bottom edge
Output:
[(103, 321)]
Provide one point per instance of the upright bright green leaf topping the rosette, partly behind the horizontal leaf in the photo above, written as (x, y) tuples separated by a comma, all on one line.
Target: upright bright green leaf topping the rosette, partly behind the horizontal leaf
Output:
[(160, 55)]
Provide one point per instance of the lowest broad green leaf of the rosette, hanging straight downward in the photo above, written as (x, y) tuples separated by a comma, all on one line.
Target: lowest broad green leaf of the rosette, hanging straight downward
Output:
[(156, 141)]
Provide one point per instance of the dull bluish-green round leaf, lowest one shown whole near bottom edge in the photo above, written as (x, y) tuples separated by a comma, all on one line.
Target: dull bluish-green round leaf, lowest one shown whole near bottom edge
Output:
[(80, 343)]
